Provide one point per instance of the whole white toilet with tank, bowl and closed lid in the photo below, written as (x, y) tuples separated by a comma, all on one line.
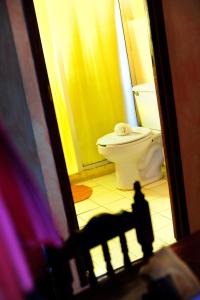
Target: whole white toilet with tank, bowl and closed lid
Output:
[(139, 154)]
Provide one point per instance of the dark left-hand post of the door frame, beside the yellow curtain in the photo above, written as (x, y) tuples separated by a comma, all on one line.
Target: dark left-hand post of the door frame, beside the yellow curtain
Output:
[(50, 115)]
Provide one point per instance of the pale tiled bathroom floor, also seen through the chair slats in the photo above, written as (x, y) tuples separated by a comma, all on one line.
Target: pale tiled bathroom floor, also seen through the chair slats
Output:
[(106, 198)]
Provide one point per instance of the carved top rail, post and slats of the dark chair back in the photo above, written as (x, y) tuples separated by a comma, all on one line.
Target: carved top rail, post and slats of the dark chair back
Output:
[(102, 228)]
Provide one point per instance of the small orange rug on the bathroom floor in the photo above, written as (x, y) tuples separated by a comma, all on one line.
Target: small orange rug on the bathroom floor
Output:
[(80, 192)]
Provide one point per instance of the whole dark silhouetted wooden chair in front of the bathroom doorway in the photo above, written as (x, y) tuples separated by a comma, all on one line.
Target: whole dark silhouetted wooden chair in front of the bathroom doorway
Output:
[(98, 231)]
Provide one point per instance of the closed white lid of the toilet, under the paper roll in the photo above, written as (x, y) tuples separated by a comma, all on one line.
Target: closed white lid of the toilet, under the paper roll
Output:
[(114, 139)]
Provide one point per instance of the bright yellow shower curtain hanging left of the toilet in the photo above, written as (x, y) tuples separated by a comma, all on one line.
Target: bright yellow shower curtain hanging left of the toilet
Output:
[(80, 47)]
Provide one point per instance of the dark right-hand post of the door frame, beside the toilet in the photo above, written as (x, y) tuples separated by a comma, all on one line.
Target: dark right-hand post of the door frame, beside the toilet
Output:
[(168, 118)]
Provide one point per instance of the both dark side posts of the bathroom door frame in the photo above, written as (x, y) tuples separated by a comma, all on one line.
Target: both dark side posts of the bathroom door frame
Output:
[(166, 107)]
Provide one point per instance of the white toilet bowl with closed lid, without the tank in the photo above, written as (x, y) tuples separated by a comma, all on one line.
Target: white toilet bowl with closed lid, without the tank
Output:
[(137, 156)]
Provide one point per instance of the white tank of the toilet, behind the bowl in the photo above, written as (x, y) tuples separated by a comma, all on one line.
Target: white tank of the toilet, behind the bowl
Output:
[(147, 106)]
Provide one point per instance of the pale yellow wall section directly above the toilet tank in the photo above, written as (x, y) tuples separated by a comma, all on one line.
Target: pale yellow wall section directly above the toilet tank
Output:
[(137, 40)]
